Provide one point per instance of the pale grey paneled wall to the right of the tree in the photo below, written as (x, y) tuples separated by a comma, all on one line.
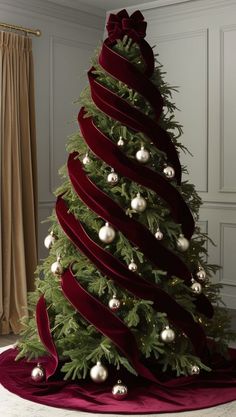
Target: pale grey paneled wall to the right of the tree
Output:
[(196, 44)]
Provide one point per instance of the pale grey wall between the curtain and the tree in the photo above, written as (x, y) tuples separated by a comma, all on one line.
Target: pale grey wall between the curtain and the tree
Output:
[(61, 57)]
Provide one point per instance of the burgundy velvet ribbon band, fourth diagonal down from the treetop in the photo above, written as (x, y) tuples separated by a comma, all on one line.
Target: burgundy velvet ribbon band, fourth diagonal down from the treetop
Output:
[(135, 232)]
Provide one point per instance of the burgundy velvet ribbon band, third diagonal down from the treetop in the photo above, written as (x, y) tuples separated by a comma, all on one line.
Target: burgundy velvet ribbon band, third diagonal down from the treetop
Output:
[(104, 148)]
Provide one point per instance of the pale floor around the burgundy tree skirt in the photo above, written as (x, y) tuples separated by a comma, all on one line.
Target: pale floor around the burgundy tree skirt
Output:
[(13, 406)]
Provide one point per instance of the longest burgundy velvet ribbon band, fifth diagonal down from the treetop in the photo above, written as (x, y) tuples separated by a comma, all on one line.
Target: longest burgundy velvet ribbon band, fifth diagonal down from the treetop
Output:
[(134, 283)]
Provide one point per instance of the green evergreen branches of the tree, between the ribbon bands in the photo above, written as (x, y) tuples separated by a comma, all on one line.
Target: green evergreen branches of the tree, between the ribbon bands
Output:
[(80, 345)]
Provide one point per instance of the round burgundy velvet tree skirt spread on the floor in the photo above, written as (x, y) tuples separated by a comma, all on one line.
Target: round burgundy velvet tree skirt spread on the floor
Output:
[(179, 394)]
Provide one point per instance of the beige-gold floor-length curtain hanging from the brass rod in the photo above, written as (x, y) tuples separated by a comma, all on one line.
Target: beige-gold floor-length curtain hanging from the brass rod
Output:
[(18, 179)]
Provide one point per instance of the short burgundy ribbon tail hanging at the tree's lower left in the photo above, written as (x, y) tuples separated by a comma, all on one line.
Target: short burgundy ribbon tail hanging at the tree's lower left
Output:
[(44, 332)]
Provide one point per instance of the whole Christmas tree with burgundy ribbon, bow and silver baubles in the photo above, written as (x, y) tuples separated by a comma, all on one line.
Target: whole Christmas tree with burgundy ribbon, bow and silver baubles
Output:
[(126, 283)]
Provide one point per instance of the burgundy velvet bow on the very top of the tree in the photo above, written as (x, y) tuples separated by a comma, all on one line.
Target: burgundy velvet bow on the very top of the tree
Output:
[(121, 24)]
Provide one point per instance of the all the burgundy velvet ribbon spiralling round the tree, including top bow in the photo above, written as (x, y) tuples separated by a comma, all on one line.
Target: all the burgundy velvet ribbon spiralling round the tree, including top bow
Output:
[(99, 202)]
